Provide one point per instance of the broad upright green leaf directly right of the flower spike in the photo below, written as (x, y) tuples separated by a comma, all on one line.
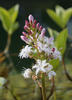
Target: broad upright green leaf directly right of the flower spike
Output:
[(61, 41)]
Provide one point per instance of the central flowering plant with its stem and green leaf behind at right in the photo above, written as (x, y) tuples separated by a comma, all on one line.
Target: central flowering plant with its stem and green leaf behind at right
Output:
[(44, 50)]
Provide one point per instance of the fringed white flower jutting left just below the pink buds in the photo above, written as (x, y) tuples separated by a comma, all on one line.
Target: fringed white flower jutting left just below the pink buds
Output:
[(25, 52)]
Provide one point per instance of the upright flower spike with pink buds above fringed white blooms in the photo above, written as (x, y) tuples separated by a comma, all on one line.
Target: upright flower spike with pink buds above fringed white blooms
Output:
[(39, 47)]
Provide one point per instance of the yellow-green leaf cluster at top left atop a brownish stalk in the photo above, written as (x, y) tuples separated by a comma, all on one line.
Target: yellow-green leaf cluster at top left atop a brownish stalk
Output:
[(8, 19)]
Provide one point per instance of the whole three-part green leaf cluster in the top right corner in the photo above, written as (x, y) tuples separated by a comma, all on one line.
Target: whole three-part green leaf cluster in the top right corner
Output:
[(60, 15)]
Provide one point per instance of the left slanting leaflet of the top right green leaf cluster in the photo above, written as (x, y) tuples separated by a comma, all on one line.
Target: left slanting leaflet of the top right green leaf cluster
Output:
[(55, 17)]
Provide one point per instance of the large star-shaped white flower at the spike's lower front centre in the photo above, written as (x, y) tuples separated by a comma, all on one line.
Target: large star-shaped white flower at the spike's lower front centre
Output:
[(42, 66)]
